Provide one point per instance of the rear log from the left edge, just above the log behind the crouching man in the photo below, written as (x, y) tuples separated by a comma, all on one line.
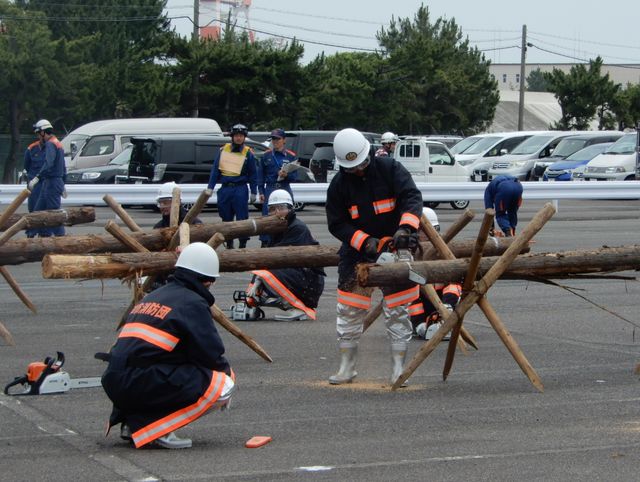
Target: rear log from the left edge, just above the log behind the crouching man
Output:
[(30, 250)]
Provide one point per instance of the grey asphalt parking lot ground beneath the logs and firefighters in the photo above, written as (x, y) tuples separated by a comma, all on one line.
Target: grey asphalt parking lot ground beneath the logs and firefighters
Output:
[(486, 422)]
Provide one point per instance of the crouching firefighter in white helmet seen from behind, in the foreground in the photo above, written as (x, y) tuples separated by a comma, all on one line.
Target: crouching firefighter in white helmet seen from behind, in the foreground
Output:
[(167, 367)]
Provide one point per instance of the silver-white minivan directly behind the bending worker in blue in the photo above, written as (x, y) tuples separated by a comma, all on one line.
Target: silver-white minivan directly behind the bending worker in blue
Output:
[(521, 160)]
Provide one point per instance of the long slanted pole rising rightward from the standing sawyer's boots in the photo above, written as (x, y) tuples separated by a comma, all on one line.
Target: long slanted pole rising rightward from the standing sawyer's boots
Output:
[(480, 289)]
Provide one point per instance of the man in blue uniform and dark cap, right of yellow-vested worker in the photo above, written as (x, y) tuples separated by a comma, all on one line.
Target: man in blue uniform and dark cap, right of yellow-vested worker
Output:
[(271, 175)]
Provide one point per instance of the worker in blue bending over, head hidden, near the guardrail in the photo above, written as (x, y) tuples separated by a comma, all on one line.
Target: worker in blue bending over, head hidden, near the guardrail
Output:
[(504, 194)]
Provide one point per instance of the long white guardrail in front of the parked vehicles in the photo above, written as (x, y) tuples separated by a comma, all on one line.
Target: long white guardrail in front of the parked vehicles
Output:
[(135, 194)]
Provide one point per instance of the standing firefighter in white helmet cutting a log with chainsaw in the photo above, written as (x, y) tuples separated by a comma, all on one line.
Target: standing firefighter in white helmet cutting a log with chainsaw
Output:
[(373, 205)]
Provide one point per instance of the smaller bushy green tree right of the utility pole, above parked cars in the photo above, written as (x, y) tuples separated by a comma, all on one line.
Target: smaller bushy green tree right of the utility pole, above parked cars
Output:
[(583, 94)]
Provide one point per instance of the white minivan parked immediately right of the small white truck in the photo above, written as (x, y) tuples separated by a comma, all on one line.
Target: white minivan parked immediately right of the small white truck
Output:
[(477, 158)]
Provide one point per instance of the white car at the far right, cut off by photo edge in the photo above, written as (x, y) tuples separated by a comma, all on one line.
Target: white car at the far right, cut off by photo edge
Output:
[(618, 163)]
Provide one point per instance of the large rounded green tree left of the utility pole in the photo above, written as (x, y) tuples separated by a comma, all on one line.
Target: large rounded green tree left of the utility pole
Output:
[(440, 83)]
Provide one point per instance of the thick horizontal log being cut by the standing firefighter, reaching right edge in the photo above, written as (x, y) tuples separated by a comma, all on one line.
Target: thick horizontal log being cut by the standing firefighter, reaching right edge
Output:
[(563, 264)]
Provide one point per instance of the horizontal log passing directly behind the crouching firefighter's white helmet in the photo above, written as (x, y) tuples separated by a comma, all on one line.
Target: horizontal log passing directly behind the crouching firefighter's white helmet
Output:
[(120, 265)]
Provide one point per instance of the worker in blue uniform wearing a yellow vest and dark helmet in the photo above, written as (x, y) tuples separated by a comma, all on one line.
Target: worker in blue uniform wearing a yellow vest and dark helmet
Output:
[(235, 167)]
